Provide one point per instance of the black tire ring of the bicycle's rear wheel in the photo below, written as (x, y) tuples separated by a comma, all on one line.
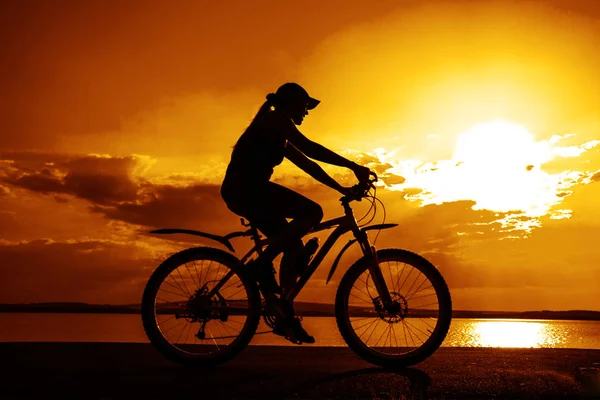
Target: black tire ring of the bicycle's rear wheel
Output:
[(152, 328)]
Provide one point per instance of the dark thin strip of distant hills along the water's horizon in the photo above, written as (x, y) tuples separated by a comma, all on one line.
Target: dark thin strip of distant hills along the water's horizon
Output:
[(302, 308)]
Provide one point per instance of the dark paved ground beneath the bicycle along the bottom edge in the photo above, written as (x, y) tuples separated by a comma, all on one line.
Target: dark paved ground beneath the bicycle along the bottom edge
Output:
[(131, 371)]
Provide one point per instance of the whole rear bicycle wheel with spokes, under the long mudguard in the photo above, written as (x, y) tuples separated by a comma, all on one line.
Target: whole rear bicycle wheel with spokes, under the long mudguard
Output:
[(190, 323)]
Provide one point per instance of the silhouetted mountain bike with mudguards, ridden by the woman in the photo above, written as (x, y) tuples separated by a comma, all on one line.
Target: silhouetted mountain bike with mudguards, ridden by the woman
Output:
[(415, 313)]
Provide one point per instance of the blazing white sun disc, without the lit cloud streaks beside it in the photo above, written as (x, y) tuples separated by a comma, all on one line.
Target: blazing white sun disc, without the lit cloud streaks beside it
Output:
[(497, 164)]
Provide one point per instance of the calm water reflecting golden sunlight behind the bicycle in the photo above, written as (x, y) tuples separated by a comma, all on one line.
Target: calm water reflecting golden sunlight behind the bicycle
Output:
[(48, 327)]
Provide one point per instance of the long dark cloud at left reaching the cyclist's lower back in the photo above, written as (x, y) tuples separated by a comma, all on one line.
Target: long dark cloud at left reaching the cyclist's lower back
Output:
[(114, 189)]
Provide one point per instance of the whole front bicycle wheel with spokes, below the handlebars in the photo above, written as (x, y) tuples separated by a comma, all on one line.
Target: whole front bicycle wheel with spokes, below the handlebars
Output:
[(406, 332)]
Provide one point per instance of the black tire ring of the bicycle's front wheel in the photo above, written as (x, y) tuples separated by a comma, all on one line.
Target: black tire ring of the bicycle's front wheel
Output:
[(373, 355)]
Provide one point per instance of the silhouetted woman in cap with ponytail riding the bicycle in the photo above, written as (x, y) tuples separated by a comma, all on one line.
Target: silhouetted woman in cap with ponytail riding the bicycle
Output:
[(248, 191)]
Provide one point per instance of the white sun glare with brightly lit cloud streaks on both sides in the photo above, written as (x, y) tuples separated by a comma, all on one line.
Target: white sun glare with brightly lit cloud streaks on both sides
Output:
[(499, 166)]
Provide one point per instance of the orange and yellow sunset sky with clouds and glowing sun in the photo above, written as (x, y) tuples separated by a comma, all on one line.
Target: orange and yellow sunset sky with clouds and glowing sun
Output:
[(481, 116)]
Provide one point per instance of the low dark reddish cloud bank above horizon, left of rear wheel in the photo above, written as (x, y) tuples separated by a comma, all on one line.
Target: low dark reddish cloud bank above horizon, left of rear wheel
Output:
[(91, 271)]
